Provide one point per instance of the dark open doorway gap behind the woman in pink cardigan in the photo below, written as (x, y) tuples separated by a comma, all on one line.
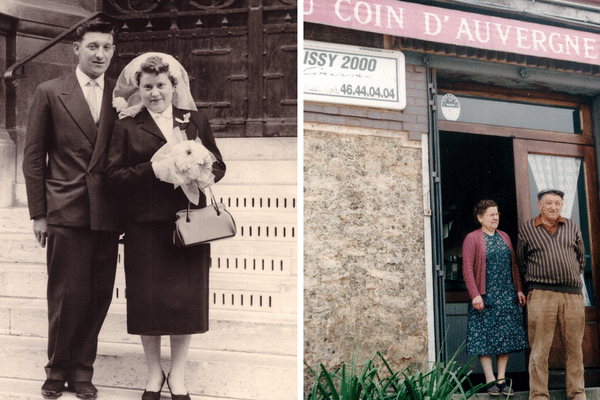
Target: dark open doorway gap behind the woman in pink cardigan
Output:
[(474, 168)]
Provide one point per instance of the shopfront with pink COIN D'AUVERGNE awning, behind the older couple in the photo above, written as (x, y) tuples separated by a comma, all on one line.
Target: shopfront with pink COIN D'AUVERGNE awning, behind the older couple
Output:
[(414, 111)]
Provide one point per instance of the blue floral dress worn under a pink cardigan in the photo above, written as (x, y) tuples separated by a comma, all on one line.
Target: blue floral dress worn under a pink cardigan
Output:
[(498, 329)]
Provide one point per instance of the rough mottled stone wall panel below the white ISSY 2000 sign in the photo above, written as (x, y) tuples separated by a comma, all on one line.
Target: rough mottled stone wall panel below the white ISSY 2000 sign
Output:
[(364, 258)]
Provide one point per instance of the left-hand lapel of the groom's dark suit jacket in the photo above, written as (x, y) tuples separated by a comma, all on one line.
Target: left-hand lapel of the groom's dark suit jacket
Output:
[(74, 101)]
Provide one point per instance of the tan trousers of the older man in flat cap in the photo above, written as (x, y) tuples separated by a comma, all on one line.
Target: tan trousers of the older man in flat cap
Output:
[(544, 310)]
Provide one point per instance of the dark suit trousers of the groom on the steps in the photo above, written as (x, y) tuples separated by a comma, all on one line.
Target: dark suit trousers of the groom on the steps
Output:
[(81, 276)]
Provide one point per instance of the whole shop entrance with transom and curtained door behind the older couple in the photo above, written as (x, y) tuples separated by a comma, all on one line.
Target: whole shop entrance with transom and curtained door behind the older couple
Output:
[(509, 162)]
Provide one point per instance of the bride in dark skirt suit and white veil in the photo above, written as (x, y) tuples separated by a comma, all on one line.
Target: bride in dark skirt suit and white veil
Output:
[(167, 286)]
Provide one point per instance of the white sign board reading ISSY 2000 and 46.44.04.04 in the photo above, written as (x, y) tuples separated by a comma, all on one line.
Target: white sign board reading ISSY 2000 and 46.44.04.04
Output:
[(361, 76)]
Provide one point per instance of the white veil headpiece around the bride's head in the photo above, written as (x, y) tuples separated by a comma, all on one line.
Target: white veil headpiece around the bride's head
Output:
[(126, 98)]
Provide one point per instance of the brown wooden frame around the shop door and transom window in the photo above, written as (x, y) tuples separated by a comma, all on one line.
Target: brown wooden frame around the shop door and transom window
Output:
[(554, 143)]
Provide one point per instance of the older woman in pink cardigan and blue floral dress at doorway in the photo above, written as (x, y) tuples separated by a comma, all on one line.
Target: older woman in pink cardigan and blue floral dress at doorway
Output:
[(494, 284)]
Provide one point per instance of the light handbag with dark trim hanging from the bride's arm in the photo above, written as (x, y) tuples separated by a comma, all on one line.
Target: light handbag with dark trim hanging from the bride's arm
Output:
[(203, 225)]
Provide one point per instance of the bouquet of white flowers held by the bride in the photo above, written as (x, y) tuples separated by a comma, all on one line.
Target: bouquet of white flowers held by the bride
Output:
[(185, 163)]
